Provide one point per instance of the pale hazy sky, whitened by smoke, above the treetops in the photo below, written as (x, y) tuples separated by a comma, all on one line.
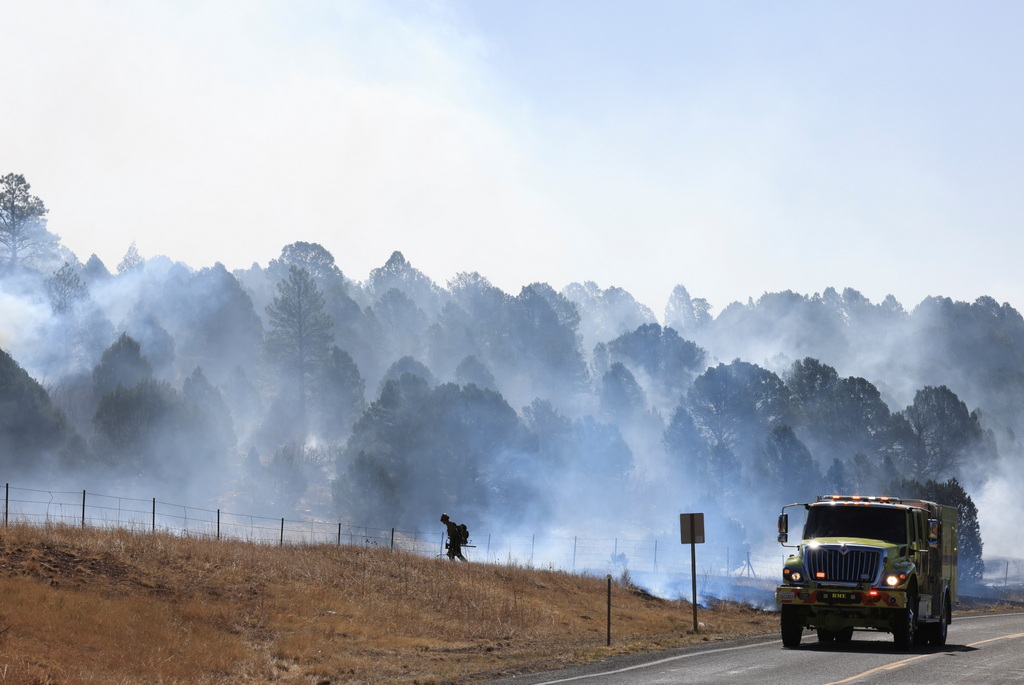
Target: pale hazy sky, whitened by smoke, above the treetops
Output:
[(735, 148)]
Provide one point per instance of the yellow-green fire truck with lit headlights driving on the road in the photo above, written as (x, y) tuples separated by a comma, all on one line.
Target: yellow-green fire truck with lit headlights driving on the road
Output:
[(873, 564)]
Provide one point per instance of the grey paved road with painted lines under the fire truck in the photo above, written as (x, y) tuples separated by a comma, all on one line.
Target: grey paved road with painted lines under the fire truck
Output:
[(982, 650)]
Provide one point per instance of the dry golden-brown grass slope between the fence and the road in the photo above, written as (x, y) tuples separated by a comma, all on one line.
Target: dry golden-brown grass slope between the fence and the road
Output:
[(113, 607)]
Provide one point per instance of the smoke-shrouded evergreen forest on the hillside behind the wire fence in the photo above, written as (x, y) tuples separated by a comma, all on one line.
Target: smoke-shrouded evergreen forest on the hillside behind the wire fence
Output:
[(386, 400)]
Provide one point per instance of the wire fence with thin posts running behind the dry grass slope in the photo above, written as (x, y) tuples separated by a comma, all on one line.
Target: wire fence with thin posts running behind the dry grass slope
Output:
[(663, 567)]
